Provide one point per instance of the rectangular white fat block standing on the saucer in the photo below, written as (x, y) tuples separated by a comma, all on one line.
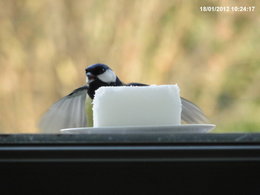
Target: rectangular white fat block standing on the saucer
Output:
[(137, 106)]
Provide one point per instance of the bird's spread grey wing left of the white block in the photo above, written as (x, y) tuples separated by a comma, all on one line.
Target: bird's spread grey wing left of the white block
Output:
[(68, 112)]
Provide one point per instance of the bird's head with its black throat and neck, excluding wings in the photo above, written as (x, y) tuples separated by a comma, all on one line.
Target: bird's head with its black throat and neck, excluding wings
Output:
[(99, 75)]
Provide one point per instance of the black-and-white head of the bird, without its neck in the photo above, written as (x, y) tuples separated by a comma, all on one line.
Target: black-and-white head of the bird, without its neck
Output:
[(100, 73)]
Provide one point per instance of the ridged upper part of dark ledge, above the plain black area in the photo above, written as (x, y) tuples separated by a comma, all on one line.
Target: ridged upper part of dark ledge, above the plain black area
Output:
[(130, 148)]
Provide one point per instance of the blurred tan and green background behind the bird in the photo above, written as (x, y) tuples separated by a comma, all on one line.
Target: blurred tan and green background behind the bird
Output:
[(214, 57)]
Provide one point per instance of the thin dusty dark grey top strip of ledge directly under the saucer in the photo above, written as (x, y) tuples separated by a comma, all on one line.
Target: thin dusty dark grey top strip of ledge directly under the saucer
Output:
[(110, 139)]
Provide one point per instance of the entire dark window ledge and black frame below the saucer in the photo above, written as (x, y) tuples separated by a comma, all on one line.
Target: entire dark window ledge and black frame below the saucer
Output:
[(180, 163)]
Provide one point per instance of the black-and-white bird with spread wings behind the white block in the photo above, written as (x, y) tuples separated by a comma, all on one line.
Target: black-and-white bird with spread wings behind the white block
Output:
[(71, 110)]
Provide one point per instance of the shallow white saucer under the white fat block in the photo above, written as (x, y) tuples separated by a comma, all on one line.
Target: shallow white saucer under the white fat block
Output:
[(187, 128)]
